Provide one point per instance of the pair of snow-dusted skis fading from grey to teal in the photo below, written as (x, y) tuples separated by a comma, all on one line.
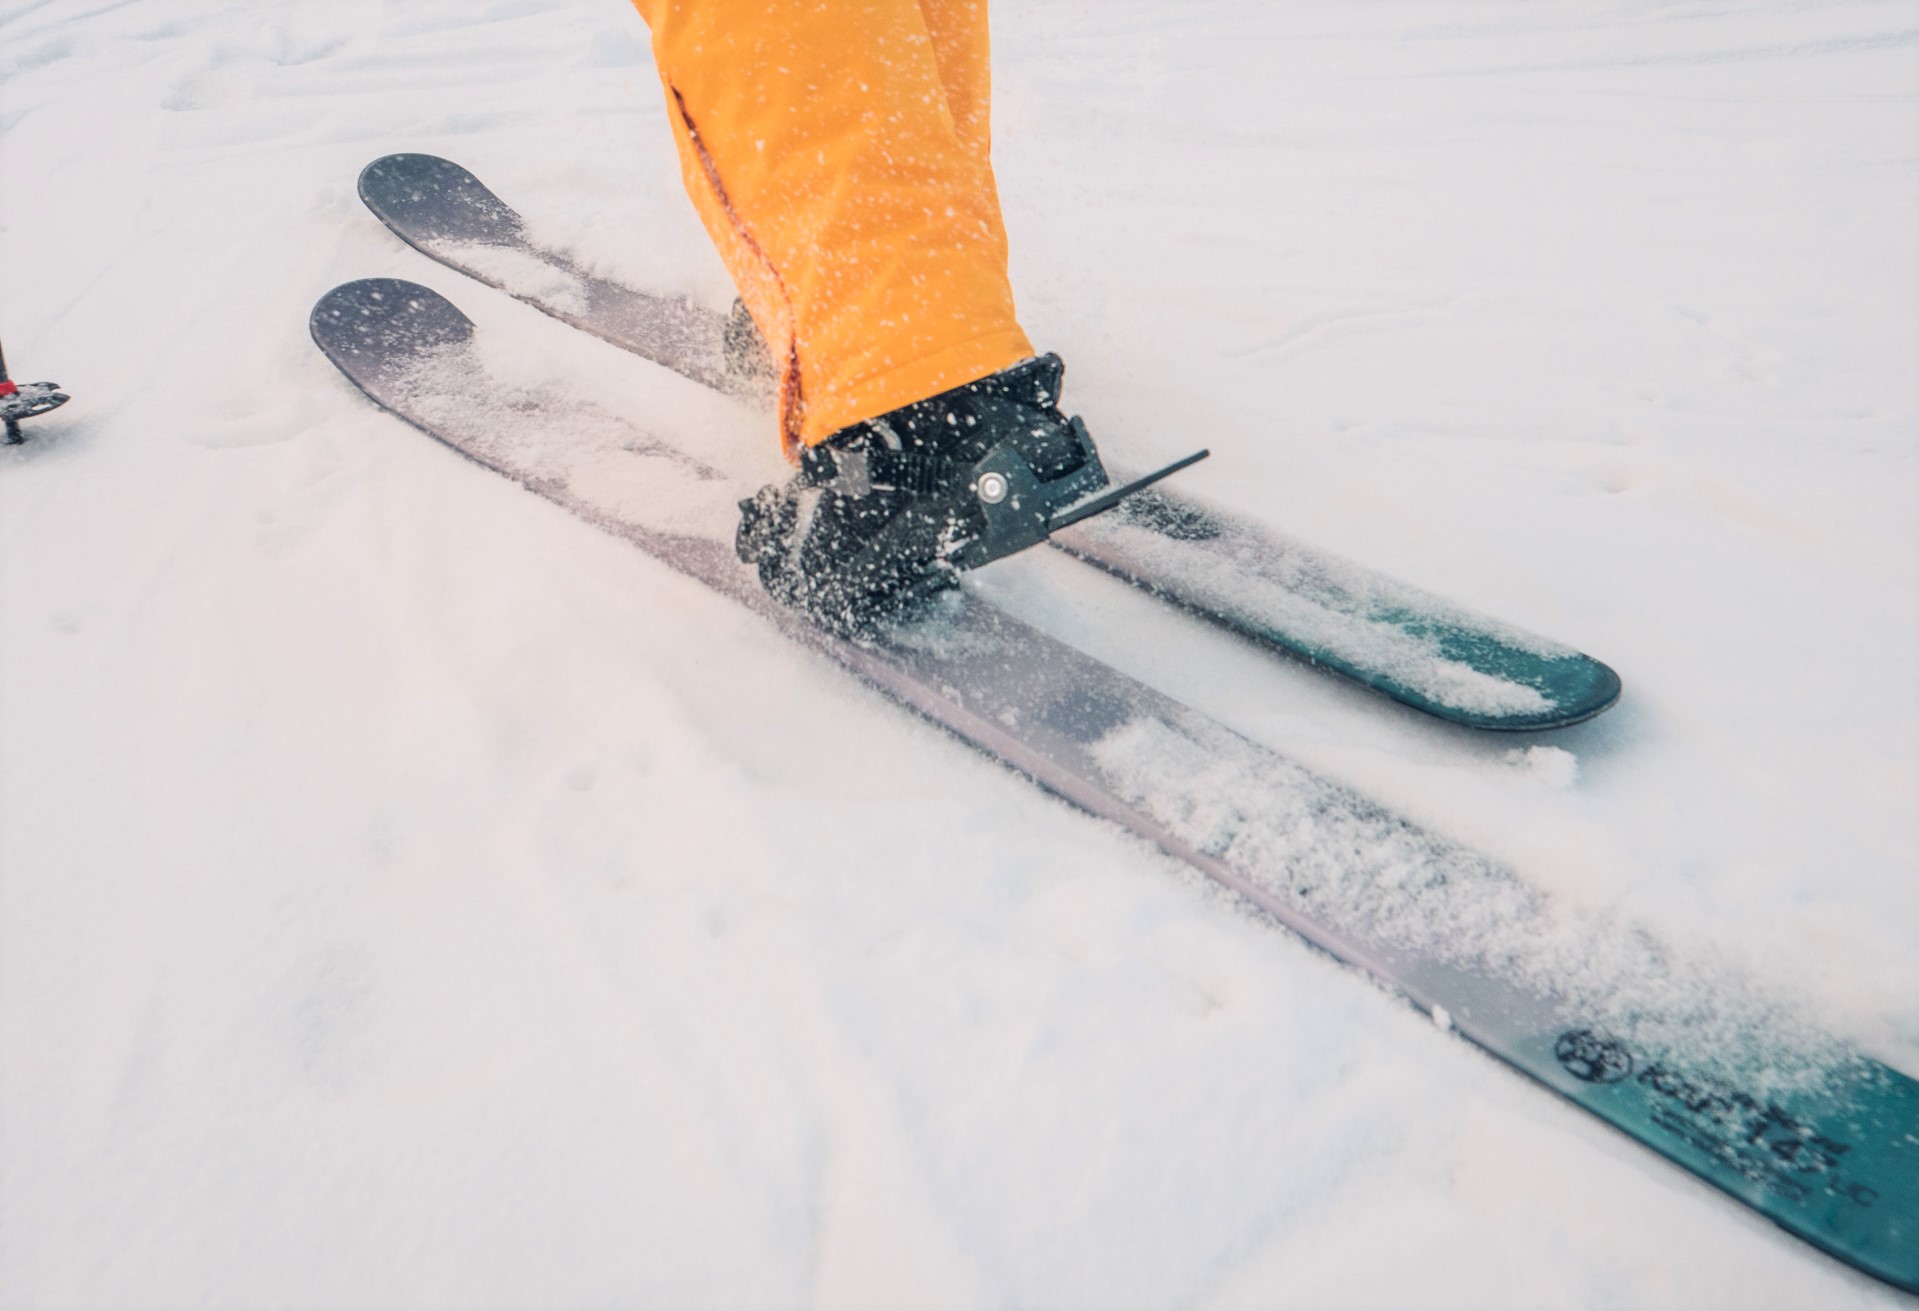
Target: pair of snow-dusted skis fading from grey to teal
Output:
[(1738, 1089)]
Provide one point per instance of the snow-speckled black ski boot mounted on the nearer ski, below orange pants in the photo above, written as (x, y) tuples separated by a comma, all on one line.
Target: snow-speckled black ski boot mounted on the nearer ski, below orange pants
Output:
[(897, 508)]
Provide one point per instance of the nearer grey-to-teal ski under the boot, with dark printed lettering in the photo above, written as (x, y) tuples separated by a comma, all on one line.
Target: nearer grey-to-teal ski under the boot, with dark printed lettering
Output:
[(1694, 1062)]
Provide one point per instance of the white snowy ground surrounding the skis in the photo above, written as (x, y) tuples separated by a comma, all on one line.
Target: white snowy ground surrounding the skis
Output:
[(414, 897)]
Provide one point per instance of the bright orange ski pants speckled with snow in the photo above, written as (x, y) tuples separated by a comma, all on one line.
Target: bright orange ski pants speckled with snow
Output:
[(840, 156)]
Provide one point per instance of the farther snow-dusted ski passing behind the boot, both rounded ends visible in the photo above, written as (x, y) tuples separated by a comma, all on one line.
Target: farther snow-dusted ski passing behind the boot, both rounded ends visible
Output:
[(1385, 634)]
